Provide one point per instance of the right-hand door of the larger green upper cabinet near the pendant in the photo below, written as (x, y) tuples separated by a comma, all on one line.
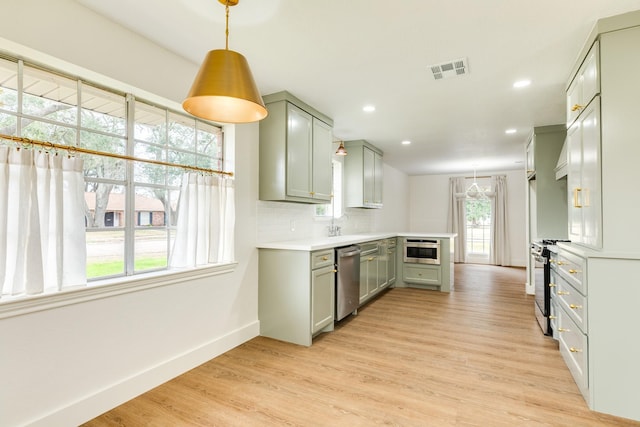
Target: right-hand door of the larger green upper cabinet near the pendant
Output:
[(321, 170)]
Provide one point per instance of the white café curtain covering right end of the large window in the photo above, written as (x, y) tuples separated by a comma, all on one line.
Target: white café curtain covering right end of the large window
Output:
[(206, 219)]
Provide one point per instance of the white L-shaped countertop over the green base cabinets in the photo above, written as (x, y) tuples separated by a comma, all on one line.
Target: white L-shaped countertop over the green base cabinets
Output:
[(317, 243)]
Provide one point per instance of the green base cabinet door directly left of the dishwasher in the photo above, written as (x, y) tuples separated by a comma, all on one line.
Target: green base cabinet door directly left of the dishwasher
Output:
[(322, 298)]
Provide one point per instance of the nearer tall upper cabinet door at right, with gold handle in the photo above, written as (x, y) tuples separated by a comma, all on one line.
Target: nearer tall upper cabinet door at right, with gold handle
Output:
[(591, 176)]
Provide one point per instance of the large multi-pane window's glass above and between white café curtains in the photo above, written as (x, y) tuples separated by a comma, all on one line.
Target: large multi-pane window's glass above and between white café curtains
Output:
[(130, 206)]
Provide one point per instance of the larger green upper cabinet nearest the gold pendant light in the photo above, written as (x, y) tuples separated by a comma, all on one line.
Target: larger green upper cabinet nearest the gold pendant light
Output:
[(295, 151)]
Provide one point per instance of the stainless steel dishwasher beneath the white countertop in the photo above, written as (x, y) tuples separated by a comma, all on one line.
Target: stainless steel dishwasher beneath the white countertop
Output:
[(347, 281)]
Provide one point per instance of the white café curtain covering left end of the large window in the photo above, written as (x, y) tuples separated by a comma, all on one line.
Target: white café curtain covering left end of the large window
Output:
[(42, 230)]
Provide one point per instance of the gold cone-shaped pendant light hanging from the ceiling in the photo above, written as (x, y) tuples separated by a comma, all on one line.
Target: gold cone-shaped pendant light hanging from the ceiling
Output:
[(224, 90)]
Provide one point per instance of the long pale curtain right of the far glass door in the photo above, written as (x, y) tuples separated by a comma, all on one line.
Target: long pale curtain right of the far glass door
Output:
[(500, 253)]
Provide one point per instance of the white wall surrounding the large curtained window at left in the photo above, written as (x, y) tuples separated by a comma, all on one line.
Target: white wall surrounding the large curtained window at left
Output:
[(65, 365)]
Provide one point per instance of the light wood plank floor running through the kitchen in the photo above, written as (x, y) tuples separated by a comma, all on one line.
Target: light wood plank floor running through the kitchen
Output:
[(474, 357)]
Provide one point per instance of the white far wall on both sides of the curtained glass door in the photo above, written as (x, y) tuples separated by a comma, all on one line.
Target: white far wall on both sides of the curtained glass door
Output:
[(429, 201)]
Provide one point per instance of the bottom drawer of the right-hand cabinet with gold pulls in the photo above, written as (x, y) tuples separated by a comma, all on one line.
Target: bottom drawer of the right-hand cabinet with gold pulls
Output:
[(574, 350)]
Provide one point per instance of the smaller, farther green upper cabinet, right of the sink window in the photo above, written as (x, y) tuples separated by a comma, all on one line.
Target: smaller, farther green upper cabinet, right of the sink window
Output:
[(363, 175)]
